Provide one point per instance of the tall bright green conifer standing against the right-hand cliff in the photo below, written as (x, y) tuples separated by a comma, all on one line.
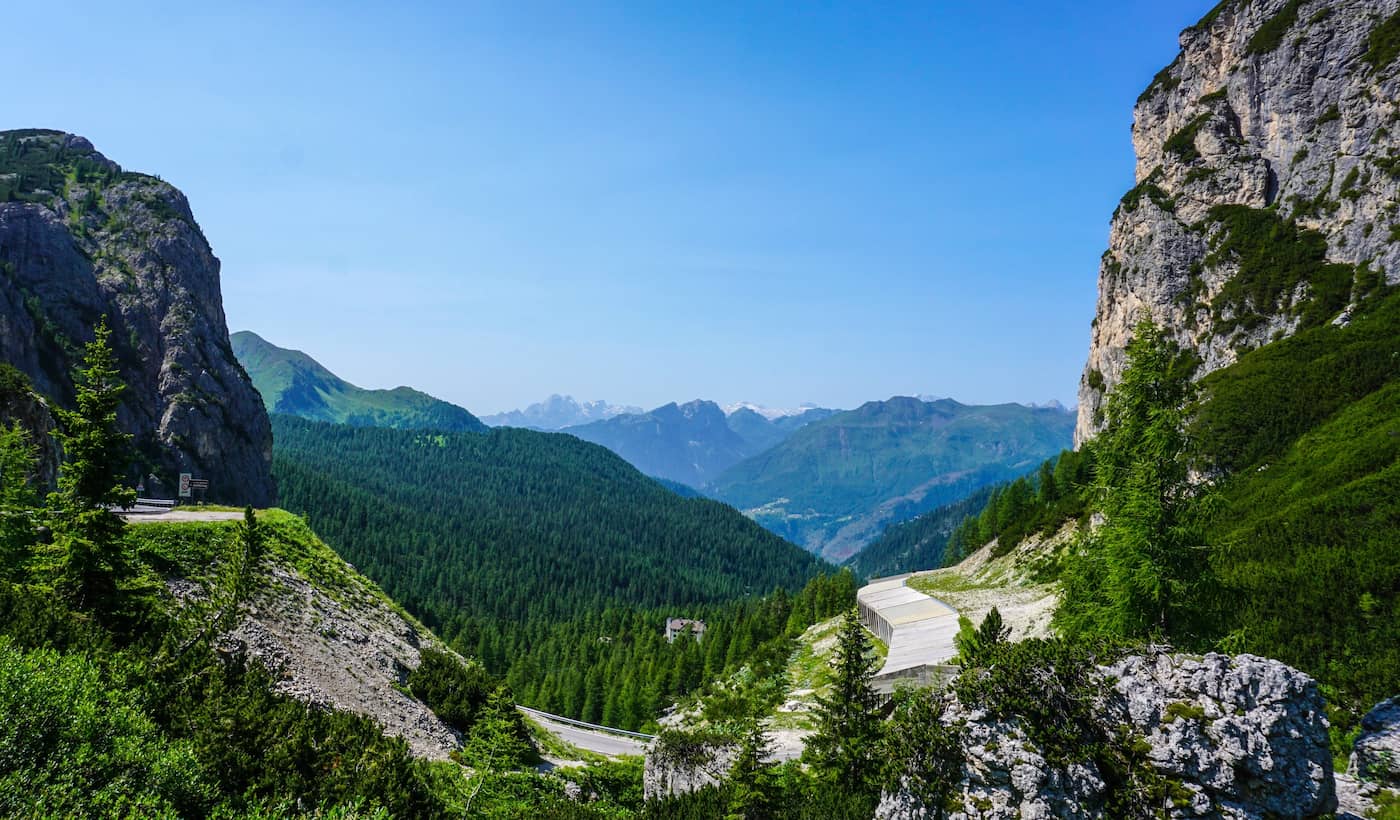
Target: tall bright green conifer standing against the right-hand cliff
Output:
[(1142, 574)]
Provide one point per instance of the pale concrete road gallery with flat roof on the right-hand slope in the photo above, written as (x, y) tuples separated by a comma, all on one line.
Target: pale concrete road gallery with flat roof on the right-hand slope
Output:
[(919, 629)]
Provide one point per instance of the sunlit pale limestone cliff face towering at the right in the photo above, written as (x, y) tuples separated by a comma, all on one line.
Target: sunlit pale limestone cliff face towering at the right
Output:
[(1269, 180)]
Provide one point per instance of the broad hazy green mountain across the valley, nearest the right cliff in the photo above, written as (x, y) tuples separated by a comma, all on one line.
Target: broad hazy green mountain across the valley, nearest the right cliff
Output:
[(834, 485)]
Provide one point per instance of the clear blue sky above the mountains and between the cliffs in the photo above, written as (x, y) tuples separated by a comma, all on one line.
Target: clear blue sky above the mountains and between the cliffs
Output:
[(643, 202)]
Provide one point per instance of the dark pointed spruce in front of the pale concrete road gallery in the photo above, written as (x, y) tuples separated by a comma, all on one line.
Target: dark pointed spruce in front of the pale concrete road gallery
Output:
[(845, 749)]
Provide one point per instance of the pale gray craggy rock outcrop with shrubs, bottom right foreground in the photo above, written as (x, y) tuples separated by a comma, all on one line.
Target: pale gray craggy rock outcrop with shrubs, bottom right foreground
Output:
[(1237, 738)]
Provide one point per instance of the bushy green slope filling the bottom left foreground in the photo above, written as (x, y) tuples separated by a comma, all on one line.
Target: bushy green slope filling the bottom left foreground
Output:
[(129, 712)]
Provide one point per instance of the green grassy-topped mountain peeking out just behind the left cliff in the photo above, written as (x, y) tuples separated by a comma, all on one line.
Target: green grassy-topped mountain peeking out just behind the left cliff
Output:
[(295, 384)]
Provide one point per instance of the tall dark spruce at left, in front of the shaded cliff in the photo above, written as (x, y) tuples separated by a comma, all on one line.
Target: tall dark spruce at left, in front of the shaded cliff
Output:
[(92, 479)]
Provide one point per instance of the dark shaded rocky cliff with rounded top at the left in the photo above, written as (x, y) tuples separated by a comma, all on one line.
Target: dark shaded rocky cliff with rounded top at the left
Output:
[(80, 239)]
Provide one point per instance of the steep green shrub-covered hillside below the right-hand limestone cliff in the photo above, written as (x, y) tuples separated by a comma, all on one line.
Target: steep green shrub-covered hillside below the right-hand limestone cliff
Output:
[(1305, 436)]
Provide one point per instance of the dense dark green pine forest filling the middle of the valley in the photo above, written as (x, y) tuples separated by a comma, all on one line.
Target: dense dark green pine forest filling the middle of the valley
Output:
[(549, 559)]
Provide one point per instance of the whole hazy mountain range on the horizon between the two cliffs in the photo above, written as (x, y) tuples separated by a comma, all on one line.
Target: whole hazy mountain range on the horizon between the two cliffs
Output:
[(825, 479)]
